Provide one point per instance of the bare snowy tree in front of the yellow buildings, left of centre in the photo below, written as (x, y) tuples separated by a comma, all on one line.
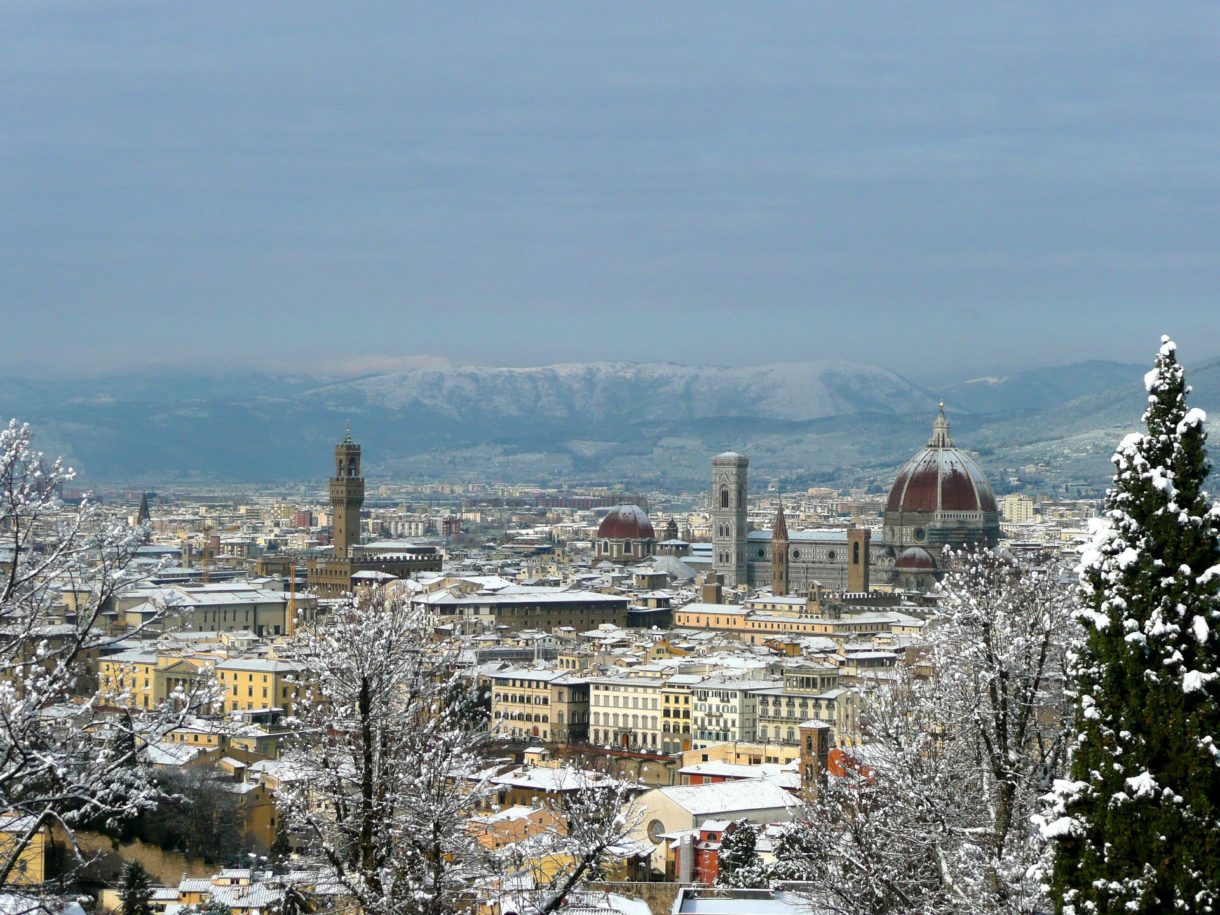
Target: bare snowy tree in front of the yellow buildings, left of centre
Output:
[(384, 761)]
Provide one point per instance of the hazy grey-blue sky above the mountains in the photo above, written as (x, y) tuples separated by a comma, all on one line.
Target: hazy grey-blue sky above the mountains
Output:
[(940, 188)]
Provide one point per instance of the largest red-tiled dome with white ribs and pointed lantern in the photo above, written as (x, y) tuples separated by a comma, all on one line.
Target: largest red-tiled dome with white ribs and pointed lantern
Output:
[(941, 479)]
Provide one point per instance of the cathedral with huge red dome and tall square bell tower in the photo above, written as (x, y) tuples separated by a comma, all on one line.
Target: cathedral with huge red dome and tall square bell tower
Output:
[(939, 500)]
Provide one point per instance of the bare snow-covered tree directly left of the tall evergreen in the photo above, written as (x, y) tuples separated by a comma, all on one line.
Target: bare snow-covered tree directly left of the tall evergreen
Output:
[(935, 814)]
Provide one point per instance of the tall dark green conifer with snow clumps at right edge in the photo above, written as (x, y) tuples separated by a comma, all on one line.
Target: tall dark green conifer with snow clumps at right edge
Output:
[(1136, 827)]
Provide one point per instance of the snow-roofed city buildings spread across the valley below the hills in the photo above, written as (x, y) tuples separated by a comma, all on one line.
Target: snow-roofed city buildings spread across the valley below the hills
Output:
[(712, 647)]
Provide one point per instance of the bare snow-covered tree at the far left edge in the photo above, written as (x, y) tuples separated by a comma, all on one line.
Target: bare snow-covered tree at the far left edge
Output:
[(59, 569)]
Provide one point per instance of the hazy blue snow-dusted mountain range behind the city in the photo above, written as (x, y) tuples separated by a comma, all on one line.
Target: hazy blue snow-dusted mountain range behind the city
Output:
[(598, 423)]
